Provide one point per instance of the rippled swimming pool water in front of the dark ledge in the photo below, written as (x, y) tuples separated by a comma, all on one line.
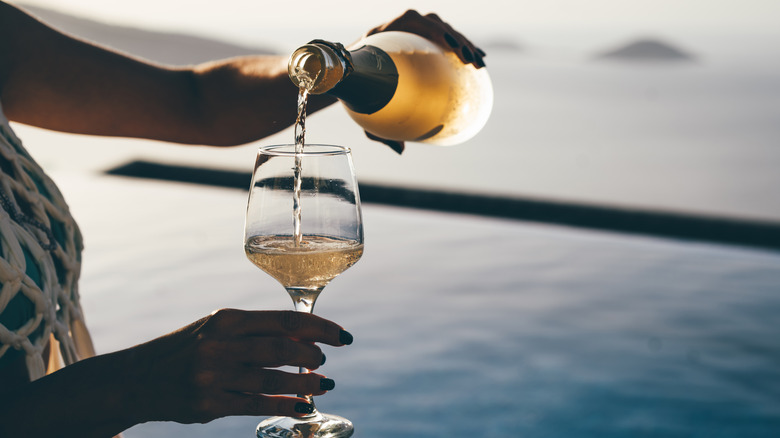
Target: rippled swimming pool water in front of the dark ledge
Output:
[(465, 326)]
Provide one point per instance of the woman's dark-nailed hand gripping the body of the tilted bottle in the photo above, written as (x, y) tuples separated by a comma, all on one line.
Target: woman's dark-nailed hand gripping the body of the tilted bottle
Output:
[(431, 27)]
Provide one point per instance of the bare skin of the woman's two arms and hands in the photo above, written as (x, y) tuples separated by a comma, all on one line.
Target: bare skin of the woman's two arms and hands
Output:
[(226, 363)]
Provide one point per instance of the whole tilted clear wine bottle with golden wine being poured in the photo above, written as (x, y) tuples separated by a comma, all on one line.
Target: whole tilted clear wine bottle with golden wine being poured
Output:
[(399, 86)]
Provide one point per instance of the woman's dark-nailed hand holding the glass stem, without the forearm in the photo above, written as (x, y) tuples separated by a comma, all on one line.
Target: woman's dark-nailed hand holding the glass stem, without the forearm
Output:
[(224, 364)]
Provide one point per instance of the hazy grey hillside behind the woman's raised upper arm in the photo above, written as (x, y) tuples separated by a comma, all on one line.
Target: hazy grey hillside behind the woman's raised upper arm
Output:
[(163, 47)]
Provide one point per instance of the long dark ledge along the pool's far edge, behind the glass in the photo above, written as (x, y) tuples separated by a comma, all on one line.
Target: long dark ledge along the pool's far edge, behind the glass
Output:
[(636, 221)]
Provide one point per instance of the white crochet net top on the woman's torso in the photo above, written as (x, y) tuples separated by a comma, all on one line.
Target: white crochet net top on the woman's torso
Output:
[(40, 262)]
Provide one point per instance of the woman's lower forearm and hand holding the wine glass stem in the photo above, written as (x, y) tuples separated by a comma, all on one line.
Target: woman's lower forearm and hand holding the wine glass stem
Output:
[(223, 364)]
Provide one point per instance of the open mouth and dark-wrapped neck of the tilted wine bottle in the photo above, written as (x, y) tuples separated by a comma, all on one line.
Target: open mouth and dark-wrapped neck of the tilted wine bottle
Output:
[(364, 79)]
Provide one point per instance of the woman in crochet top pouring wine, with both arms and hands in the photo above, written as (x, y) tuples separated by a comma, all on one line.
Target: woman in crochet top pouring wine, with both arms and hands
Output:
[(223, 364)]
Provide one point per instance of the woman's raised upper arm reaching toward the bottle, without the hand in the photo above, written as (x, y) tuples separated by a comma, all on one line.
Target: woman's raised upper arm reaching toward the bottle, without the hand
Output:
[(54, 81)]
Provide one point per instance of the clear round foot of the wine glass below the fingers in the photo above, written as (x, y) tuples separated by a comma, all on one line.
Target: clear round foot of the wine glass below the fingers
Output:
[(316, 426)]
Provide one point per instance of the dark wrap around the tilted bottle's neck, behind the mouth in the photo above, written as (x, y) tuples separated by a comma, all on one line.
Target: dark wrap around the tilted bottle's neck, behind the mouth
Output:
[(372, 82)]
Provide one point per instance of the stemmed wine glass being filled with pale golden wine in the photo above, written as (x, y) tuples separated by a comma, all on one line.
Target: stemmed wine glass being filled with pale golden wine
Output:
[(304, 227)]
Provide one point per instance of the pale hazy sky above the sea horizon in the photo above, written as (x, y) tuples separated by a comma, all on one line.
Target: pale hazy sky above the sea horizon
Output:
[(251, 20)]
